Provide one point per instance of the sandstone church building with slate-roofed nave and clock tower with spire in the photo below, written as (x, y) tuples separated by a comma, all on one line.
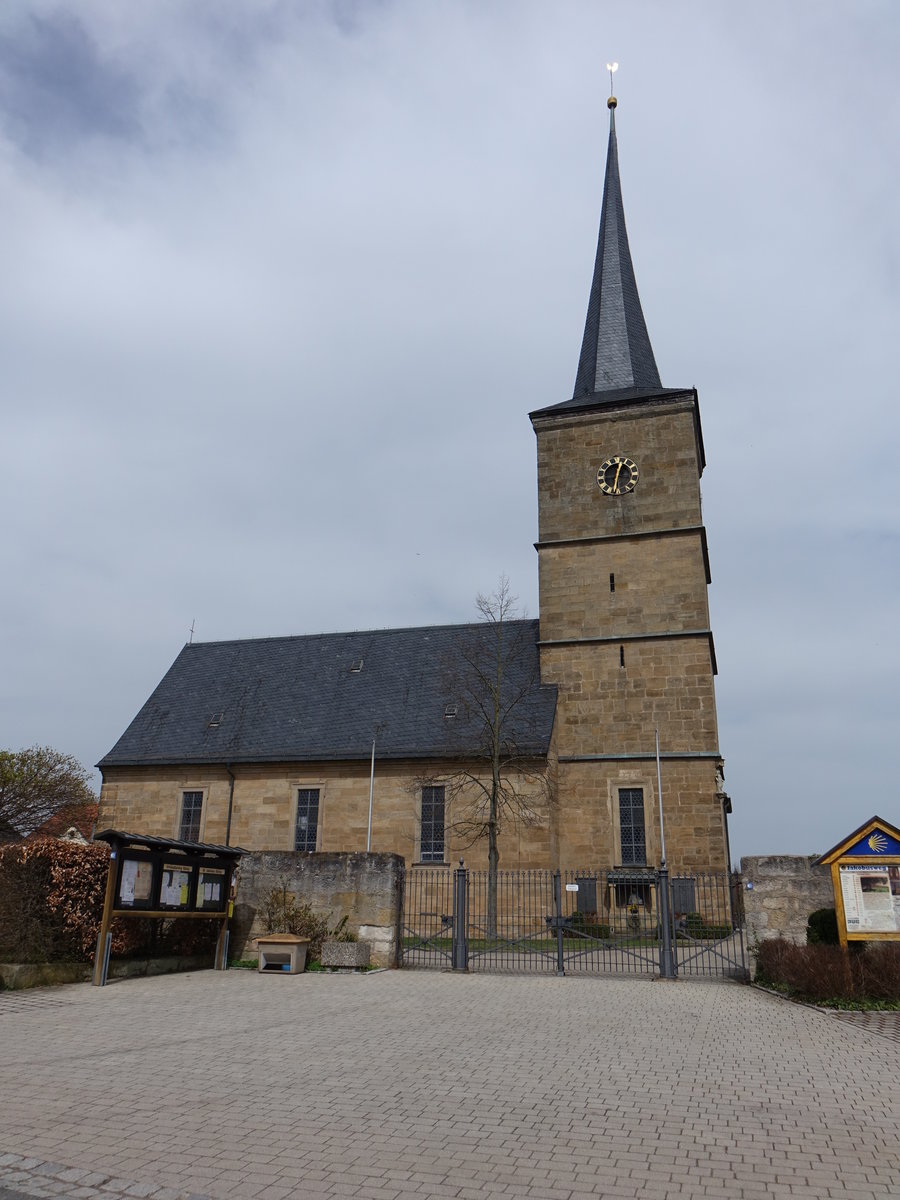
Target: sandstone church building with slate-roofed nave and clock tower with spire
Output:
[(553, 735)]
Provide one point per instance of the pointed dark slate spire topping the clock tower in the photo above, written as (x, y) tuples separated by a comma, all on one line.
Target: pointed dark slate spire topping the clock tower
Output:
[(616, 351)]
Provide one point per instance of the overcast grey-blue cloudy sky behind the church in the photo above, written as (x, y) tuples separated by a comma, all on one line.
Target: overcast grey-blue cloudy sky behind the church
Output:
[(280, 284)]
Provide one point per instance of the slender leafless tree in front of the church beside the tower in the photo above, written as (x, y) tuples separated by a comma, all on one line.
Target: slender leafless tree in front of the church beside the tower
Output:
[(496, 734)]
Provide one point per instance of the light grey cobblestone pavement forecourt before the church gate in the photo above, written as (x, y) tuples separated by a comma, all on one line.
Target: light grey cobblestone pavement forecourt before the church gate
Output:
[(423, 1084)]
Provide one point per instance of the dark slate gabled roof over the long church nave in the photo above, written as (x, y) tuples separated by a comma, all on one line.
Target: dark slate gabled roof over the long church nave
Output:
[(298, 699)]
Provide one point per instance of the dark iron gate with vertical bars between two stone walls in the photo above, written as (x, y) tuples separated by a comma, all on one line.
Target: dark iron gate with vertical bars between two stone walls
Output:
[(574, 922)]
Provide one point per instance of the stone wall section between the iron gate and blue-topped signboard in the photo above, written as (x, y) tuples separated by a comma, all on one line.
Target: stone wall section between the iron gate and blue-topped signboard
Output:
[(781, 892)]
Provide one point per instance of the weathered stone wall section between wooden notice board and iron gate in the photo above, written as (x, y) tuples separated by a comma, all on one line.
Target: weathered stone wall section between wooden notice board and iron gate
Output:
[(365, 889)]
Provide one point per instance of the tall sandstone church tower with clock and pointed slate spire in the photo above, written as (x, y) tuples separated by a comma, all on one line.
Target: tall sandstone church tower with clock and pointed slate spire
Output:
[(623, 575)]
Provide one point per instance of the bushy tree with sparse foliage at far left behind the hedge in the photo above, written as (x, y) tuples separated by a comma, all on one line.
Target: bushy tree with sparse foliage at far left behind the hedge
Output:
[(38, 783)]
